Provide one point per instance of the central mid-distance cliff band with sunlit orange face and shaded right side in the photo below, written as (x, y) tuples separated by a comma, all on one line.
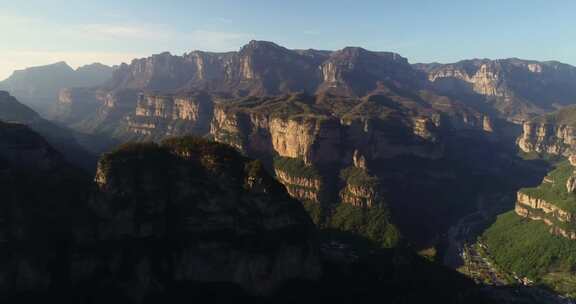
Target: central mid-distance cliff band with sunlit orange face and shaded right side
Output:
[(320, 138)]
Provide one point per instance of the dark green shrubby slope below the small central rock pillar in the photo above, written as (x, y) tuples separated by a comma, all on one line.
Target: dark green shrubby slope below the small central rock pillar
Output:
[(372, 223)]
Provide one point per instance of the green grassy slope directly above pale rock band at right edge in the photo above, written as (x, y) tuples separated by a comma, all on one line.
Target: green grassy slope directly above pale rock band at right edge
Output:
[(555, 193)]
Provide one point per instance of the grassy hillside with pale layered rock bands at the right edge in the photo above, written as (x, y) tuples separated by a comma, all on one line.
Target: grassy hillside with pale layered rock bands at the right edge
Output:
[(553, 202)]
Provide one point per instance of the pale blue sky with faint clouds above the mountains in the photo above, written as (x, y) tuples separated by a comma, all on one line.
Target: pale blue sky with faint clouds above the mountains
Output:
[(38, 32)]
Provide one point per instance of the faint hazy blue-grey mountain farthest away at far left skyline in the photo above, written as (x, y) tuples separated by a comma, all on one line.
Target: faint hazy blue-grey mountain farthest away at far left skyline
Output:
[(38, 87)]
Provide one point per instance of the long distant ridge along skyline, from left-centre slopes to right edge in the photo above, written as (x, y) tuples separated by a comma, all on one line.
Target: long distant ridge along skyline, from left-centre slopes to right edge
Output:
[(512, 89)]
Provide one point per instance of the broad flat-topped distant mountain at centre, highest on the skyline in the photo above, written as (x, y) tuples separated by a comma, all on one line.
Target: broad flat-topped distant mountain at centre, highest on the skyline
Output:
[(264, 68)]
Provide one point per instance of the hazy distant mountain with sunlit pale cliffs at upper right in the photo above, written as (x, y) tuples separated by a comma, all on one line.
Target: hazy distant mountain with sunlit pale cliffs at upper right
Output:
[(516, 88)]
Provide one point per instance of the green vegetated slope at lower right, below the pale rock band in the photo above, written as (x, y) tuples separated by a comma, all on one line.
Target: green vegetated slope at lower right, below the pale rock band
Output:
[(527, 248)]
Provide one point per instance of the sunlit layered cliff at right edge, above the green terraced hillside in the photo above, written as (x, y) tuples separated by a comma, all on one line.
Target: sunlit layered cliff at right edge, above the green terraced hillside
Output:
[(552, 133)]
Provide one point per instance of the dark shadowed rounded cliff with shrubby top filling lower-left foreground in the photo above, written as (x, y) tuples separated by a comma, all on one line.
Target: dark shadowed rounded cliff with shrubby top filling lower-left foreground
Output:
[(184, 212)]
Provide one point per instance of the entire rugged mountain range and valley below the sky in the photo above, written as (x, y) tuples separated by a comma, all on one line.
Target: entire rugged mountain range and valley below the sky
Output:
[(378, 152)]
